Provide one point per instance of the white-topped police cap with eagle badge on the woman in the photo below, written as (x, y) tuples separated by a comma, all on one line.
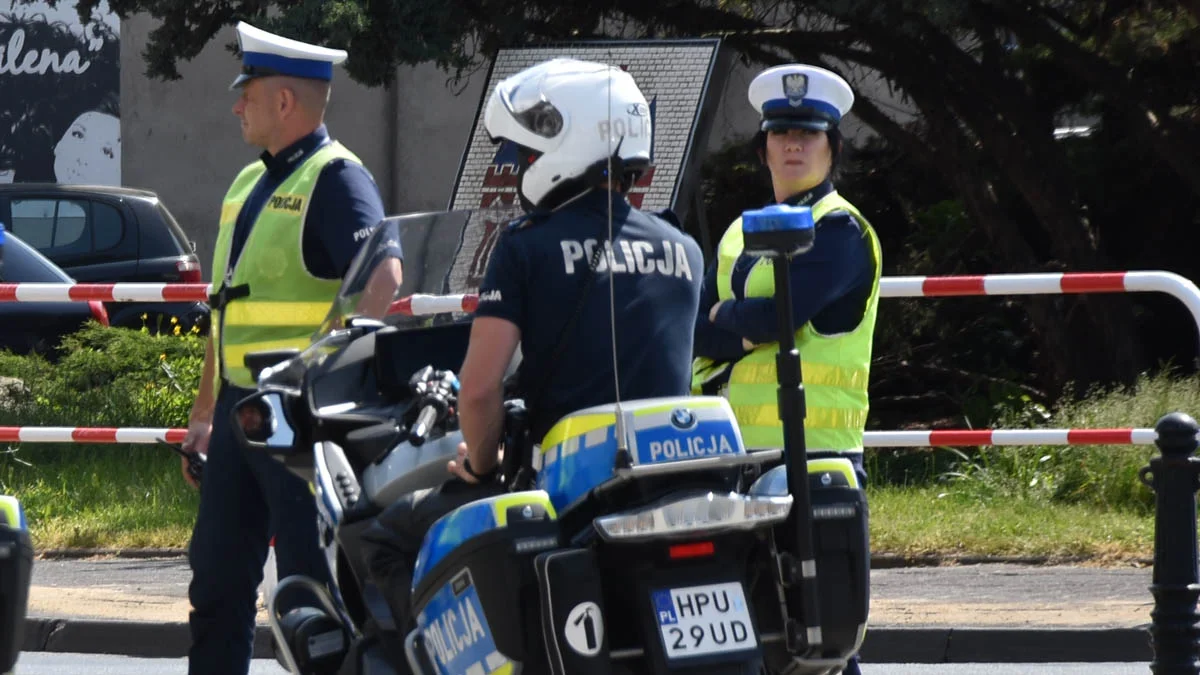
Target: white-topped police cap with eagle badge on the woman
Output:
[(800, 97)]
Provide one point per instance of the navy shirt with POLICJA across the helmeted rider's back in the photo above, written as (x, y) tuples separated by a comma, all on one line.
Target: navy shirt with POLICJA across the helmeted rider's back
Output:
[(535, 279)]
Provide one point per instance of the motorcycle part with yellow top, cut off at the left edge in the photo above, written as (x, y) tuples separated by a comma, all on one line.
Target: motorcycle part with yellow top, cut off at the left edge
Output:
[(16, 566)]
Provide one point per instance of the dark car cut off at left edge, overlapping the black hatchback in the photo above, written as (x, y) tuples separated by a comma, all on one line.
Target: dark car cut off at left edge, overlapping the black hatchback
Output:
[(39, 327)]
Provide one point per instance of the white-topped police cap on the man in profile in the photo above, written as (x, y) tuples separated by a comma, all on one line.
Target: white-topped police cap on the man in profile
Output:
[(266, 55)]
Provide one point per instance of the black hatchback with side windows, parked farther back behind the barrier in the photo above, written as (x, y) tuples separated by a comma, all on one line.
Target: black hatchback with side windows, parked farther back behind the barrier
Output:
[(105, 235)]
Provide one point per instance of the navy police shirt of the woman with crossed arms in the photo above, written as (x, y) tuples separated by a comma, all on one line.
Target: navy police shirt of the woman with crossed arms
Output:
[(831, 285)]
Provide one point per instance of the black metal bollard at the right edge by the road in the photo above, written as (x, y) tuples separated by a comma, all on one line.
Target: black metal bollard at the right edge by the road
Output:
[(1175, 477)]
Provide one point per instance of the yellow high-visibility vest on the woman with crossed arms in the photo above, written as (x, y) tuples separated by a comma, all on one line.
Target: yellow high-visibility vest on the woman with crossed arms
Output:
[(836, 368)]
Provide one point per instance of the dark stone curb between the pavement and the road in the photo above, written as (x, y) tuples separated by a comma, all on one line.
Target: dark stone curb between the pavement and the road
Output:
[(883, 646)]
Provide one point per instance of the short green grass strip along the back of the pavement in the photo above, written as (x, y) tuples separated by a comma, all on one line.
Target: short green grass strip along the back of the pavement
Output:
[(152, 509)]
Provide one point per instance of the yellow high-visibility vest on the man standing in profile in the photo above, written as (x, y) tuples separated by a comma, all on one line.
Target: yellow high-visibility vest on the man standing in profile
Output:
[(287, 303)]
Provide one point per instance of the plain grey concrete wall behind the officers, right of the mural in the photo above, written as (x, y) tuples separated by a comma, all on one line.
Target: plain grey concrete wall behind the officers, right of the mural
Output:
[(182, 140)]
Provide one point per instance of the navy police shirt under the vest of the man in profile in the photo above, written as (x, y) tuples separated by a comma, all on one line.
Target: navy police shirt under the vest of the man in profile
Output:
[(345, 207)]
